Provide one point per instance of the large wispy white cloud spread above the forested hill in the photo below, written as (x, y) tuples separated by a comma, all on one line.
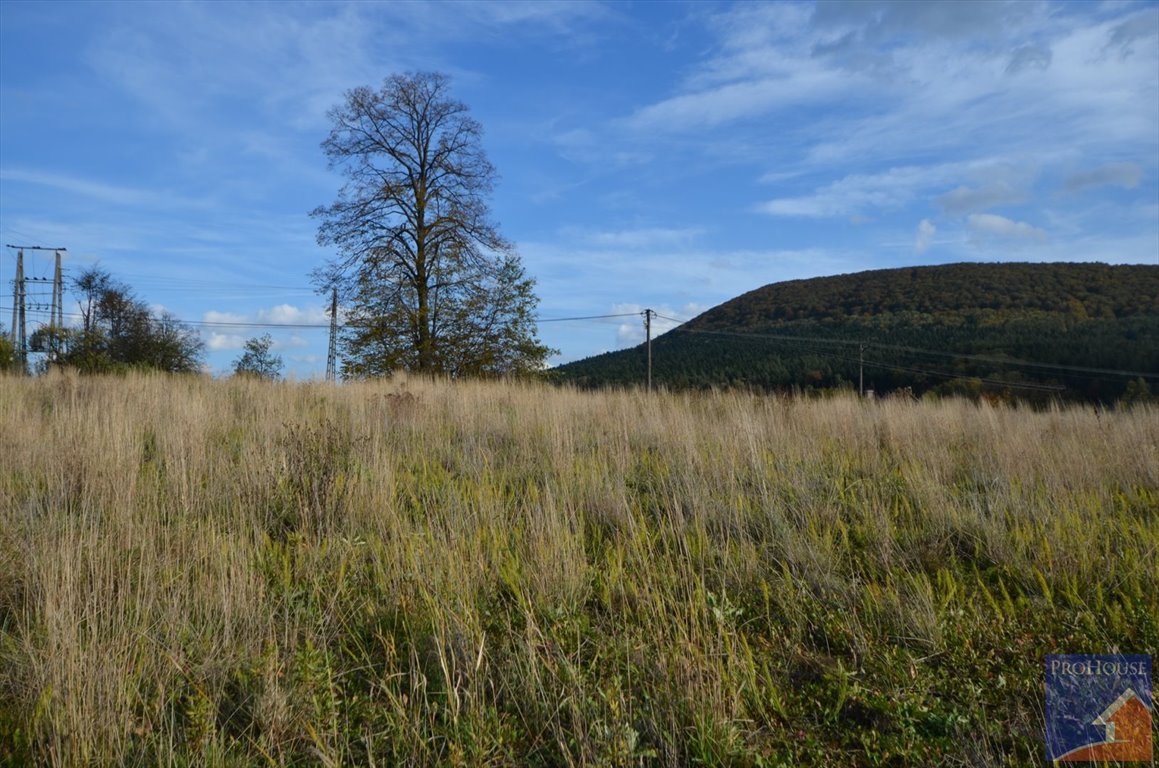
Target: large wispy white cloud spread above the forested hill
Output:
[(920, 81)]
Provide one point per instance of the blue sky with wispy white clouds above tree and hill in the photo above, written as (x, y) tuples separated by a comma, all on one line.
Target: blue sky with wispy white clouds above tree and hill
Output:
[(658, 155)]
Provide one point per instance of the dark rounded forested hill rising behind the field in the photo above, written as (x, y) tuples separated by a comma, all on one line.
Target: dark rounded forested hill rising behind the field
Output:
[(1081, 332)]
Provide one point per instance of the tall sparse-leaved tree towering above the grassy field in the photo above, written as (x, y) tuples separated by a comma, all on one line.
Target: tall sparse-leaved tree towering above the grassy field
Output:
[(427, 282)]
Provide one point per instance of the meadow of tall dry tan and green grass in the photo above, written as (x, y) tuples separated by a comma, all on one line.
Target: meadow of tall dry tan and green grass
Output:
[(412, 573)]
